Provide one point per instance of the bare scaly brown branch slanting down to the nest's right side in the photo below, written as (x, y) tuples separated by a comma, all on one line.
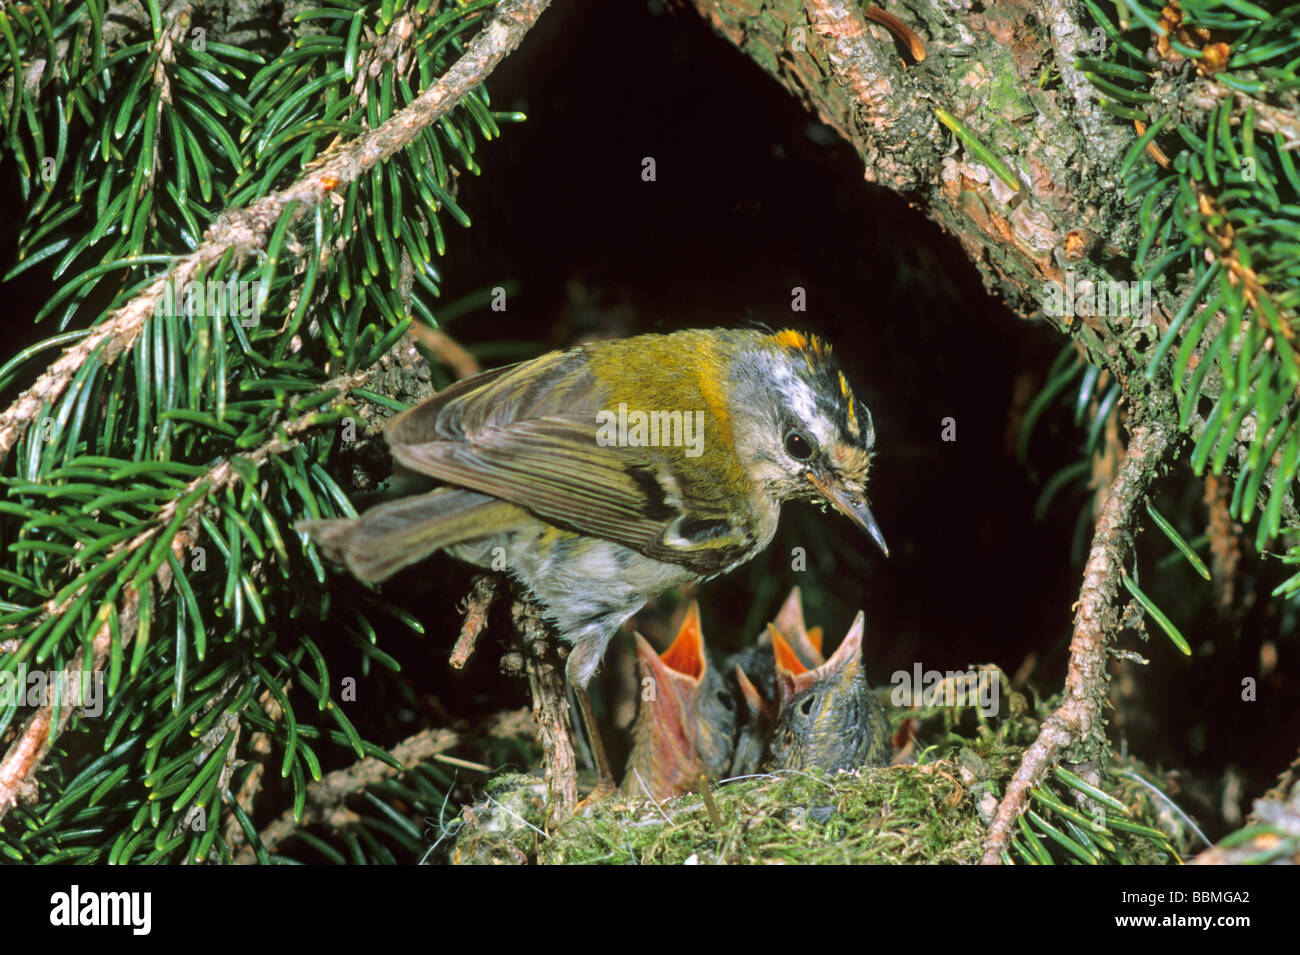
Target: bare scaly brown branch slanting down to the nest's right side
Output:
[(1078, 720)]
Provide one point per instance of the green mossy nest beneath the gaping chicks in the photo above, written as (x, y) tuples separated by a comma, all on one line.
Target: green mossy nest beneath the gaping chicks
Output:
[(934, 810)]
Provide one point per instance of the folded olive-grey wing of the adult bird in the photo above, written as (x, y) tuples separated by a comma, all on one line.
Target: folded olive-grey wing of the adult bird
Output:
[(528, 435)]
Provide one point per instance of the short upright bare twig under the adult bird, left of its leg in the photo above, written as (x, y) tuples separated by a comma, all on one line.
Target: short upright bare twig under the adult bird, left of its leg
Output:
[(551, 709)]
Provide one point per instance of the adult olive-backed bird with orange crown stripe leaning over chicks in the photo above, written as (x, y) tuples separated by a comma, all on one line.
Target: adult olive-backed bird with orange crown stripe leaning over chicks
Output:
[(605, 475)]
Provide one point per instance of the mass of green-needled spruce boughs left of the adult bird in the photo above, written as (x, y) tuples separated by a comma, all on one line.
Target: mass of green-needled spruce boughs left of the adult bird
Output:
[(155, 516)]
